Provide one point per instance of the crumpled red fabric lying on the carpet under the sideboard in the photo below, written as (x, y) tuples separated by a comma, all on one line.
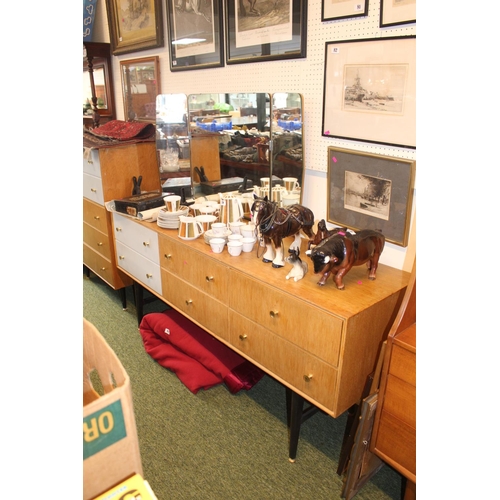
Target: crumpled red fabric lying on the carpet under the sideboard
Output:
[(198, 359)]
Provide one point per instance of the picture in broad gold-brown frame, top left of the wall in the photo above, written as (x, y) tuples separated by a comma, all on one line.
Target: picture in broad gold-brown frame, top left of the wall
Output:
[(134, 26)]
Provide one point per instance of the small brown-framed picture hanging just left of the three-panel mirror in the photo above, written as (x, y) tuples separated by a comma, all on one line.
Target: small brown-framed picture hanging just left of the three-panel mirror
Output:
[(140, 84)]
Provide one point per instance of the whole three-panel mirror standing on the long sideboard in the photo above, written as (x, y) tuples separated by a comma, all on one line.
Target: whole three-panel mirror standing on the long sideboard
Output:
[(229, 142)]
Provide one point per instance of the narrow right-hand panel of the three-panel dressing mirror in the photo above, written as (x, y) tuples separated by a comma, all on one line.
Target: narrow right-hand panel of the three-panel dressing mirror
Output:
[(287, 164)]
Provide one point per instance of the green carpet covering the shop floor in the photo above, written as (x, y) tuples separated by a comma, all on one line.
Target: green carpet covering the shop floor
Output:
[(216, 445)]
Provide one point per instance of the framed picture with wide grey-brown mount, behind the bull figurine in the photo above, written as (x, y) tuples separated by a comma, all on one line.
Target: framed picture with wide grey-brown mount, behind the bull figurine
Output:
[(368, 191)]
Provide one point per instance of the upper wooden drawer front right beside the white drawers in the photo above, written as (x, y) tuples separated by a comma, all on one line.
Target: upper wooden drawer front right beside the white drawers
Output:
[(205, 273)]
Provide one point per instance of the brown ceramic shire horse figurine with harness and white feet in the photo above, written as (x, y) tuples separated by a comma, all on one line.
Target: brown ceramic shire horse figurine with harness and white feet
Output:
[(275, 223)]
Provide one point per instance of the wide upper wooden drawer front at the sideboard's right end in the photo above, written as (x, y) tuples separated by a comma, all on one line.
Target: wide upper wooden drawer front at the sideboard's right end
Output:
[(302, 324)]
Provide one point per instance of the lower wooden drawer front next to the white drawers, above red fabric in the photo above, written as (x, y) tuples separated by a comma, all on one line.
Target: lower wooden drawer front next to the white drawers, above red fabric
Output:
[(198, 306)]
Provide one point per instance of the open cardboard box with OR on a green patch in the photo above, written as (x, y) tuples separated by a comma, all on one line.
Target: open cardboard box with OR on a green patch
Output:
[(110, 444)]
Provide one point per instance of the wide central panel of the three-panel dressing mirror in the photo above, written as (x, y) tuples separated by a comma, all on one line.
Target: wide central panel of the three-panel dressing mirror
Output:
[(230, 136)]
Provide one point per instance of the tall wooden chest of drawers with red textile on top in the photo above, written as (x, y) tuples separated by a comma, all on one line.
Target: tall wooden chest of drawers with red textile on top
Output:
[(107, 175)]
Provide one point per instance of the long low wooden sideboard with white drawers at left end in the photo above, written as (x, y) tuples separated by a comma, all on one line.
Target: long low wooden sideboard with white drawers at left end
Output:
[(318, 341)]
